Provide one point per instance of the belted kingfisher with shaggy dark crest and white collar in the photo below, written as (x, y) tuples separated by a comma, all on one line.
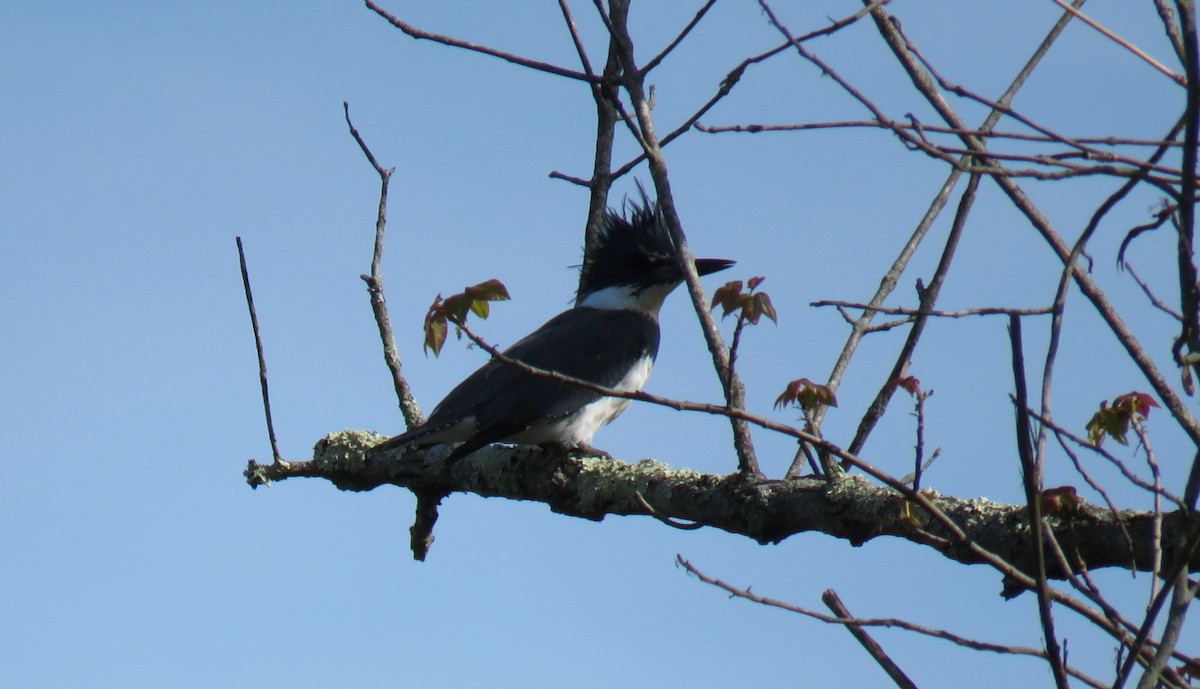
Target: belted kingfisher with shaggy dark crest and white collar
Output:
[(610, 338)]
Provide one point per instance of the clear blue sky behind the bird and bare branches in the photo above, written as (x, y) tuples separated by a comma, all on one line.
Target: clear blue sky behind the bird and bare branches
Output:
[(140, 137)]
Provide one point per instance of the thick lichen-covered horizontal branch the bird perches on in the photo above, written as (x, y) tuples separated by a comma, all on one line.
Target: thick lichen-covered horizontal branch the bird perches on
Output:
[(851, 507)]
